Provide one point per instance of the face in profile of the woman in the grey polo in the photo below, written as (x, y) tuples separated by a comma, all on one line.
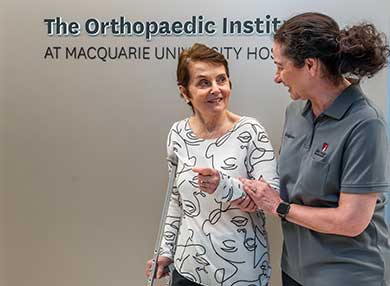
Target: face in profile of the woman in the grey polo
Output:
[(294, 78)]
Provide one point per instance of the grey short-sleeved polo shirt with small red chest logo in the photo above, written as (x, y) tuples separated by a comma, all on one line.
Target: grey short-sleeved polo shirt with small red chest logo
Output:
[(345, 149)]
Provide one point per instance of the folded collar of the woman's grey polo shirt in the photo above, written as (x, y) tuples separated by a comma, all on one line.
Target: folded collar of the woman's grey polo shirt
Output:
[(341, 104)]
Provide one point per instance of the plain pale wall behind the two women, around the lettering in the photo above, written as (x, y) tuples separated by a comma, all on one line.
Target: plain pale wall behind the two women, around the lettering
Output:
[(84, 141)]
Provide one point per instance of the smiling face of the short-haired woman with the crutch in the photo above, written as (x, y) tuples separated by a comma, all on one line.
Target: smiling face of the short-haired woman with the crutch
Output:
[(208, 89)]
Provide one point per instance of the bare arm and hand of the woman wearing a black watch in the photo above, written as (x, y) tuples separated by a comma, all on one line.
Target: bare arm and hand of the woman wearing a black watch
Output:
[(349, 218)]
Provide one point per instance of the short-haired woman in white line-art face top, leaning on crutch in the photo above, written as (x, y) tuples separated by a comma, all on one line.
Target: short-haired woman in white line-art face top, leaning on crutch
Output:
[(210, 241)]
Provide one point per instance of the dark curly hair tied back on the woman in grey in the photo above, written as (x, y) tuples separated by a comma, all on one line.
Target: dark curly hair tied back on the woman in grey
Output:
[(356, 51)]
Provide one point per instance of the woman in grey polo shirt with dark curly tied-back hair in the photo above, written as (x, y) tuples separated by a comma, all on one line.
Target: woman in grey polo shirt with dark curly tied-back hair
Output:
[(334, 159)]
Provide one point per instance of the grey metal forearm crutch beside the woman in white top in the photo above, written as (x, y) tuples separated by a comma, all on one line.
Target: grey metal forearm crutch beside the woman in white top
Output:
[(173, 161)]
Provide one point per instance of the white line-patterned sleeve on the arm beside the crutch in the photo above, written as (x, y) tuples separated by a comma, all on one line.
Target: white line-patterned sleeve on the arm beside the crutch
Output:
[(174, 214)]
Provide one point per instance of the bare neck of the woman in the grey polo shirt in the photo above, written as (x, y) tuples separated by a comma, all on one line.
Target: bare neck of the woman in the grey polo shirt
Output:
[(324, 95)]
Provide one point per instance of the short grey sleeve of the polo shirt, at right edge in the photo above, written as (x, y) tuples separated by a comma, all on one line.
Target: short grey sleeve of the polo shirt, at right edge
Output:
[(365, 165)]
